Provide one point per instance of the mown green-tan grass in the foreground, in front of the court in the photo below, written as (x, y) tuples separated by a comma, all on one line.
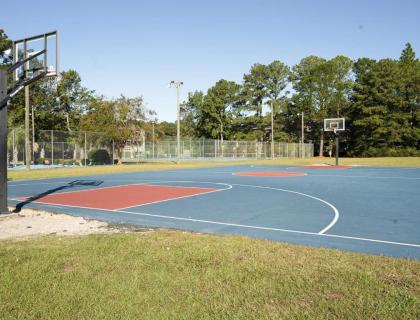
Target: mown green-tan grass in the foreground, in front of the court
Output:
[(178, 275)]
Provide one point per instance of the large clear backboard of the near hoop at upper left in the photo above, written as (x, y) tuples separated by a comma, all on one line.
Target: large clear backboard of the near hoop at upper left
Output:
[(45, 49)]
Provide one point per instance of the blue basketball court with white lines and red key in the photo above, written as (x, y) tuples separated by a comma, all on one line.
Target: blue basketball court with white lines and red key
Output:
[(363, 209)]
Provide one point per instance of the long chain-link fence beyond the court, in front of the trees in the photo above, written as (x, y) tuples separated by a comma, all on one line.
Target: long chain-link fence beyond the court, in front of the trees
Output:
[(63, 147)]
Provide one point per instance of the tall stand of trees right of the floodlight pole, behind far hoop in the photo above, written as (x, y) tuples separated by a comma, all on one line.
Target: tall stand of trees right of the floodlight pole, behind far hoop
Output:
[(379, 99)]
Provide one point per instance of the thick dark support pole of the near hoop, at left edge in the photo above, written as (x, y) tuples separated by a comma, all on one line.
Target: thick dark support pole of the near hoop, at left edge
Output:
[(3, 144)]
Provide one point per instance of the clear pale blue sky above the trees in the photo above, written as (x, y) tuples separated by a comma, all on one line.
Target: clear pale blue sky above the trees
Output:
[(136, 48)]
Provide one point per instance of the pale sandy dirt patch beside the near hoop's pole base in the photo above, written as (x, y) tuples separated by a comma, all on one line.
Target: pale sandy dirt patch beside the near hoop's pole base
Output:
[(29, 222)]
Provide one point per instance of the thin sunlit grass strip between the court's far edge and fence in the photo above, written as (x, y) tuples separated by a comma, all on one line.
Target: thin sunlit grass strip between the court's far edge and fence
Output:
[(82, 171)]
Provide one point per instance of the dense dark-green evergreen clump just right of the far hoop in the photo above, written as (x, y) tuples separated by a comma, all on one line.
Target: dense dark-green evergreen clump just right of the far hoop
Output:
[(384, 114)]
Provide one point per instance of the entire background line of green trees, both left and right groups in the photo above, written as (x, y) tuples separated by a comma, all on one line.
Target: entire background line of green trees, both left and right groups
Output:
[(379, 99)]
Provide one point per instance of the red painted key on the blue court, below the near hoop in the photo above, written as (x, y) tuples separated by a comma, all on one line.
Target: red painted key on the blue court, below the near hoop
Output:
[(120, 197)]
